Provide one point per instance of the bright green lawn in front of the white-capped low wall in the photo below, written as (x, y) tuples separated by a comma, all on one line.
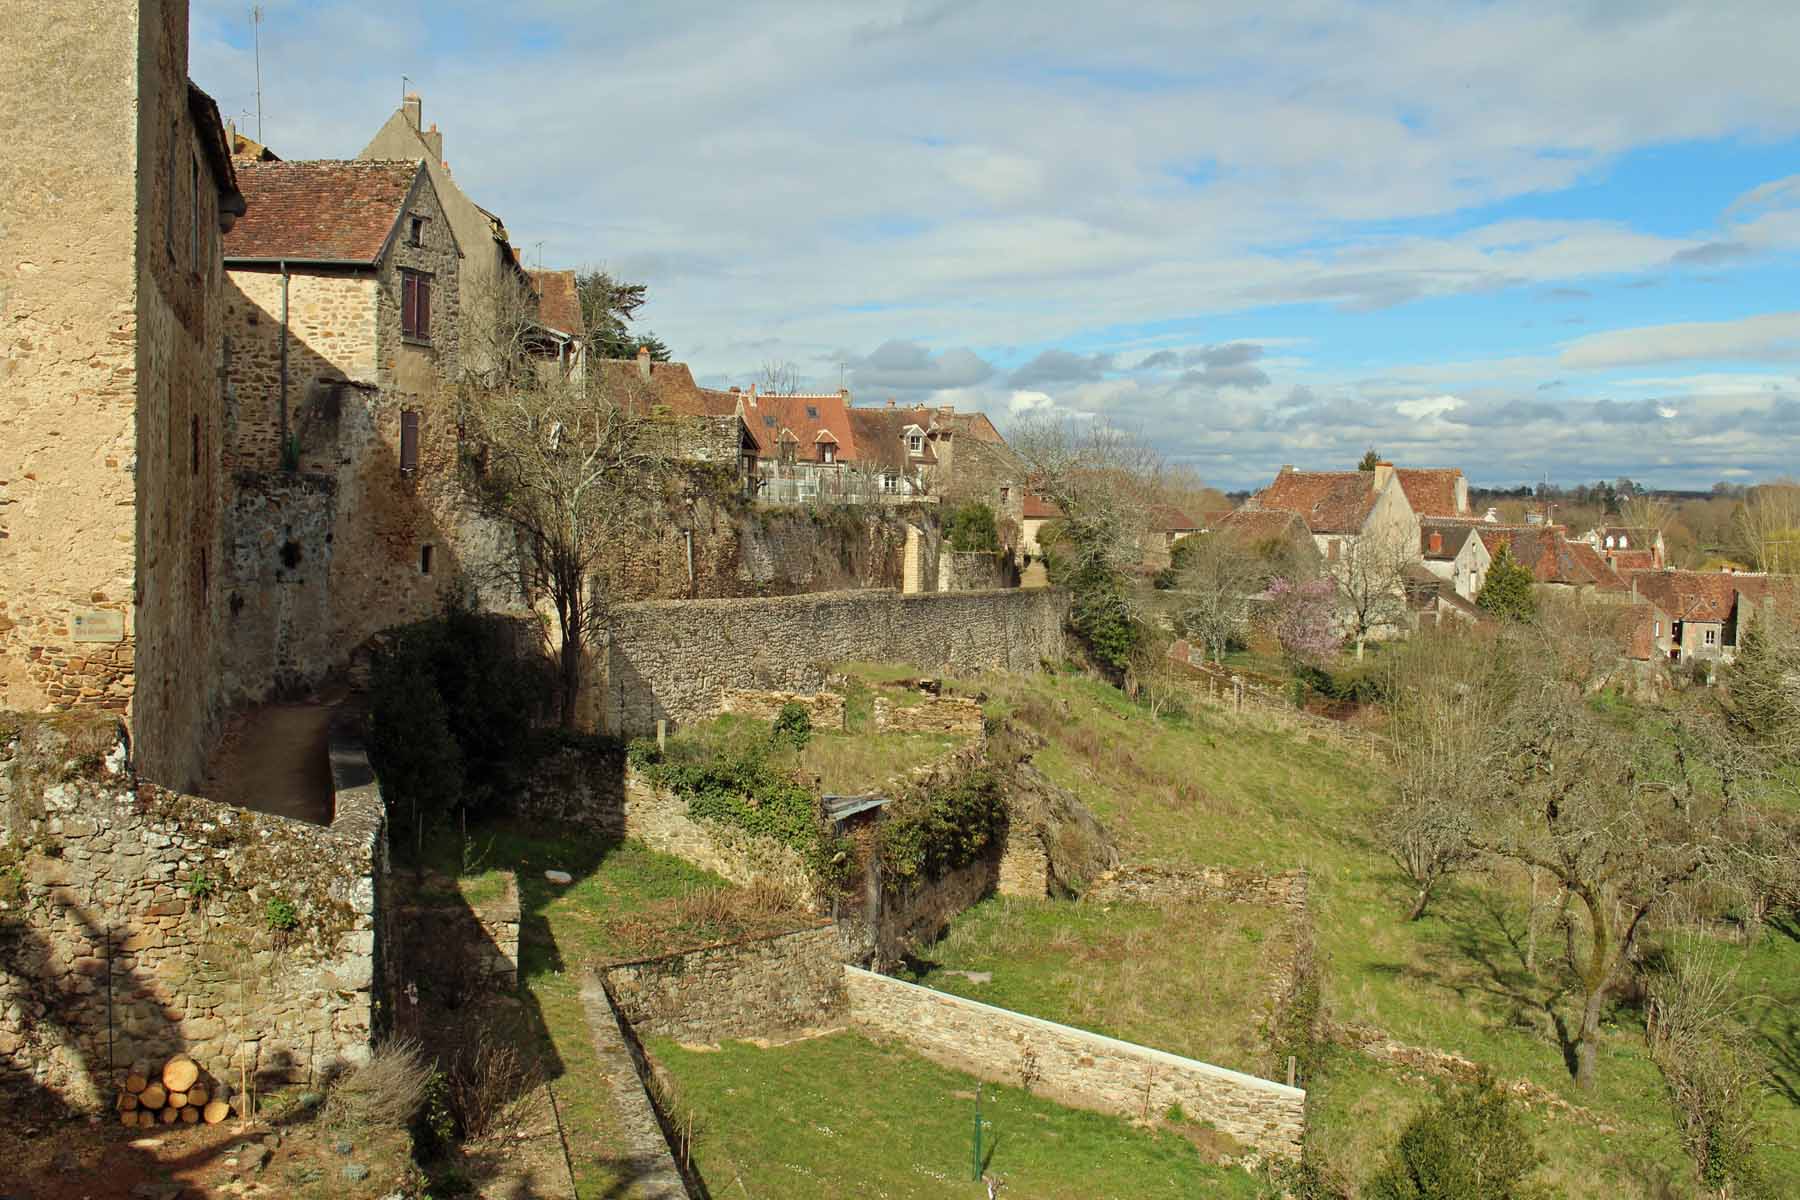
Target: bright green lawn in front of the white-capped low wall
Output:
[(843, 1116)]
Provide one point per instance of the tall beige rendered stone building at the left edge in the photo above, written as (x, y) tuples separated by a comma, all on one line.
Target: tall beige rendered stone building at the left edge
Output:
[(112, 199)]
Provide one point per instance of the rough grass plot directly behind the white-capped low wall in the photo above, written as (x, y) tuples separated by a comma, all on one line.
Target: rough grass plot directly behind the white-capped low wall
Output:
[(1192, 978)]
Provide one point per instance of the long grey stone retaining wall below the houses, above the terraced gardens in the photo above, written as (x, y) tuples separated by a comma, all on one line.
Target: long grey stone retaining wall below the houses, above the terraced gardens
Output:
[(676, 659)]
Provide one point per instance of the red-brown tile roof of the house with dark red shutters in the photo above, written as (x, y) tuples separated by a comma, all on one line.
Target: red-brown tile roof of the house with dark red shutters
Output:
[(327, 211)]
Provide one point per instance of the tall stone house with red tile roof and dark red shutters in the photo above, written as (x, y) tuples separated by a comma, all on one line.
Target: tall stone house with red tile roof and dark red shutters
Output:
[(343, 314)]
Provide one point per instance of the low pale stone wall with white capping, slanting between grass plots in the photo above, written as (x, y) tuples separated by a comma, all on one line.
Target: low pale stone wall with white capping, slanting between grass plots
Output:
[(1074, 1066)]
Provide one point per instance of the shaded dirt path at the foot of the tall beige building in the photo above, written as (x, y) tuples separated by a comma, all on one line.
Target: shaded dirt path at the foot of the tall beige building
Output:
[(276, 760)]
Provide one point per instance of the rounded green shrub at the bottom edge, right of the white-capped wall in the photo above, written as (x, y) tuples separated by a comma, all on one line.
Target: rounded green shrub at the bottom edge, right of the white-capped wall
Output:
[(1468, 1145)]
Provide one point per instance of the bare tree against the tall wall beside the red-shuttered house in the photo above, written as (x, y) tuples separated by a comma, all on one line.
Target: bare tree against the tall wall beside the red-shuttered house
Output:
[(566, 465)]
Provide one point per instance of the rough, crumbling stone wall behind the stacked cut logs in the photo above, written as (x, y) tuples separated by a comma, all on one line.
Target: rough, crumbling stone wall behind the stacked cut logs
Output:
[(161, 900)]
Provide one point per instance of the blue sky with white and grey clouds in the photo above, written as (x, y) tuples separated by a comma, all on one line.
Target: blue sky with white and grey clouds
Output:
[(1527, 240)]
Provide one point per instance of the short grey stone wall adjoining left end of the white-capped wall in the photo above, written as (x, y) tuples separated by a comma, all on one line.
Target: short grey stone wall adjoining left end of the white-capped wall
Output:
[(739, 990)]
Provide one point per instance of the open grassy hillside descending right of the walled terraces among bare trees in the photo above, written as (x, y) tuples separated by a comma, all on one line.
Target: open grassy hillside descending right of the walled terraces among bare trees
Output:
[(1219, 791)]
